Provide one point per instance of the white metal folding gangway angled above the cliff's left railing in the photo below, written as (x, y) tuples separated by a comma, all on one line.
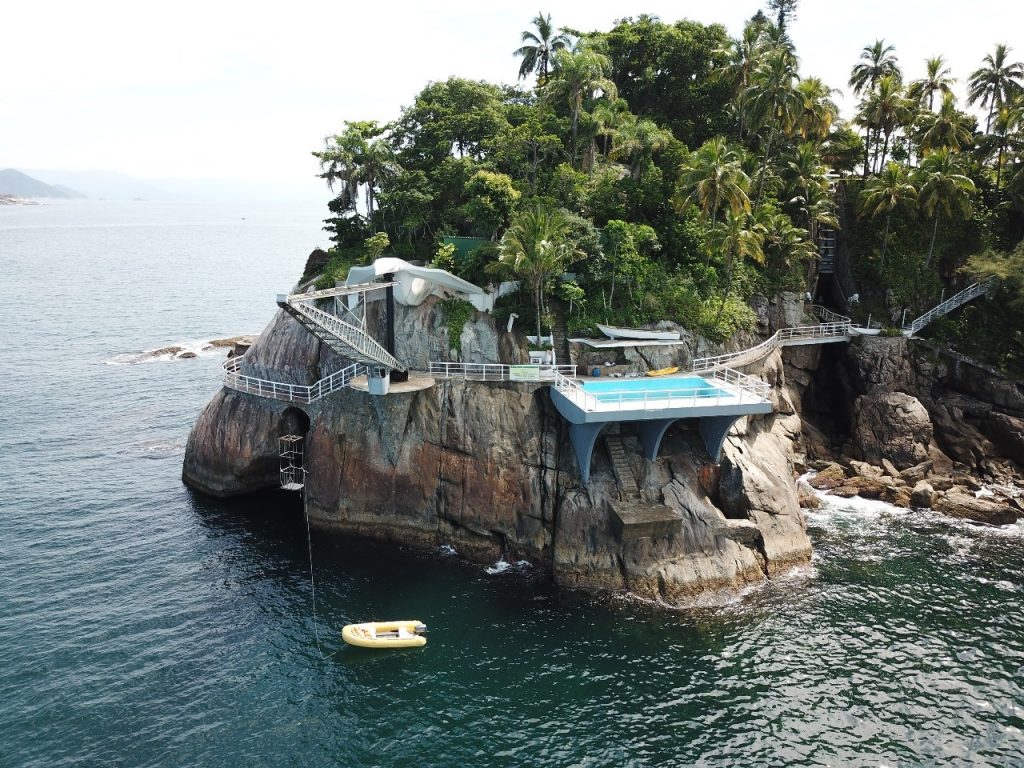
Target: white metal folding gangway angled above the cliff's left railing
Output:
[(347, 339)]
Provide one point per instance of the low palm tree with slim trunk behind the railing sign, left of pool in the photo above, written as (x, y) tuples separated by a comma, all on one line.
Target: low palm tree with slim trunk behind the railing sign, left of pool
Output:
[(536, 247)]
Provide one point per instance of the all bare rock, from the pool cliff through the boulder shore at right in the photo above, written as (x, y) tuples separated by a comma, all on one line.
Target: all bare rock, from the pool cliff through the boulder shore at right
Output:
[(488, 468)]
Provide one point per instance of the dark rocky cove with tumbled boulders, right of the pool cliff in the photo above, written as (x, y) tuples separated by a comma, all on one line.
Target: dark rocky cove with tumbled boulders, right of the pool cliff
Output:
[(924, 431)]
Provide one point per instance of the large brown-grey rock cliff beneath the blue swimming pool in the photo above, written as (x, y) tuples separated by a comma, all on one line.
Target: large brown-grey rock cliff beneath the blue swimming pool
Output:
[(489, 470)]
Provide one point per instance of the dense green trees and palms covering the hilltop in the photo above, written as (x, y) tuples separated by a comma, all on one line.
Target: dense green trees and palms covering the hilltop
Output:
[(665, 172)]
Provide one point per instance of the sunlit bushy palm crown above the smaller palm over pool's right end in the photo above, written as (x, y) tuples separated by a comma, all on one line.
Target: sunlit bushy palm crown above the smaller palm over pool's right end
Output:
[(713, 178)]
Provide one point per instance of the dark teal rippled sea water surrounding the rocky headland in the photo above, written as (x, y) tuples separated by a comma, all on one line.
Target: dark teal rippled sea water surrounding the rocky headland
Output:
[(144, 625)]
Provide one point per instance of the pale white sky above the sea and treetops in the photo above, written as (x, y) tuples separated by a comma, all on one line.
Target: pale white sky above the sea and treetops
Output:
[(246, 92)]
